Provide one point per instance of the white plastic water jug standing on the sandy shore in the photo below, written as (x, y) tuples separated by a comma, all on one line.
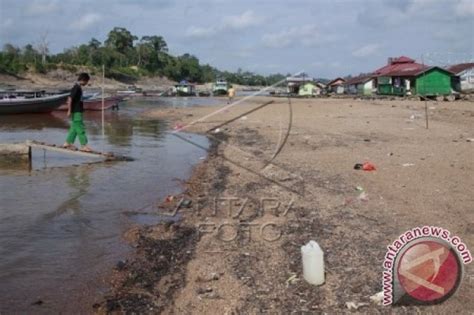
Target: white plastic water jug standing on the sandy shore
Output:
[(313, 263)]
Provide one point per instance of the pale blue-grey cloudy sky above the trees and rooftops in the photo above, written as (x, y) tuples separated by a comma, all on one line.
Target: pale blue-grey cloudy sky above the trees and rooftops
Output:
[(325, 38)]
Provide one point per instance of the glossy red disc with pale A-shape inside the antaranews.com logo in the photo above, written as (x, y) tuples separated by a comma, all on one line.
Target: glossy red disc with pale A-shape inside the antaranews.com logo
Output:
[(429, 271)]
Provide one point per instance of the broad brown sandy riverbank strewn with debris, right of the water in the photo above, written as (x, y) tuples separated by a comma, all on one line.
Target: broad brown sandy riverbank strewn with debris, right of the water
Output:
[(237, 251)]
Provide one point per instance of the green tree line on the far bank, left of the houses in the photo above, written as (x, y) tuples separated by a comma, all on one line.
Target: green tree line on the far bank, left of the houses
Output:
[(125, 57)]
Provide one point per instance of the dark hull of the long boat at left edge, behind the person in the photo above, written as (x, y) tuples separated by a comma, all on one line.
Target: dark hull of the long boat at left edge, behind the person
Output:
[(33, 105)]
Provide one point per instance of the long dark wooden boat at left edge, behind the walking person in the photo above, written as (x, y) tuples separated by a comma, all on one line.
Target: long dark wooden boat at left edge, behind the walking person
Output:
[(24, 102)]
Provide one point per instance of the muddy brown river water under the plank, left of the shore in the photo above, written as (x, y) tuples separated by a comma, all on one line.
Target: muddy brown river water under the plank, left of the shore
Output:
[(61, 222)]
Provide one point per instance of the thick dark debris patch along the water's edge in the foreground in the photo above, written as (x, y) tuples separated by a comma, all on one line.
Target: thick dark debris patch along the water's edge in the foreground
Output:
[(144, 288)]
